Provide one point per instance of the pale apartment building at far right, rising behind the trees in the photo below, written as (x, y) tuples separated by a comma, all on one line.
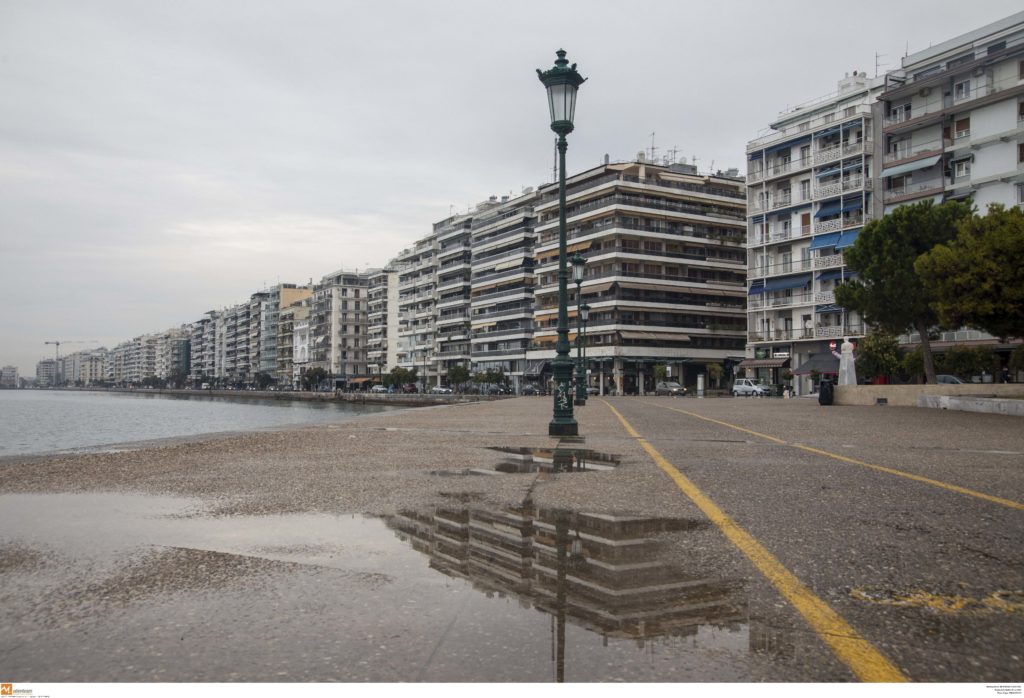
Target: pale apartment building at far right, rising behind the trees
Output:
[(955, 128)]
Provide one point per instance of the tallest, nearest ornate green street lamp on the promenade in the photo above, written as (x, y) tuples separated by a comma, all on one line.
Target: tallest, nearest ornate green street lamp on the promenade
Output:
[(563, 81)]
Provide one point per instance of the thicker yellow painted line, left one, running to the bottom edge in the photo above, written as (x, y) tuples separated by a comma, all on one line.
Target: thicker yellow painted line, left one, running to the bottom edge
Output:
[(863, 659)]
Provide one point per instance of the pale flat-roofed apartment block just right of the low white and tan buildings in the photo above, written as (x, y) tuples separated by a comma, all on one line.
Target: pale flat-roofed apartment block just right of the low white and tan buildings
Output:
[(338, 323)]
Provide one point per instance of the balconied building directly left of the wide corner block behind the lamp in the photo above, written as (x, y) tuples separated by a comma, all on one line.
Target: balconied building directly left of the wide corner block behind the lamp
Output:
[(502, 295)]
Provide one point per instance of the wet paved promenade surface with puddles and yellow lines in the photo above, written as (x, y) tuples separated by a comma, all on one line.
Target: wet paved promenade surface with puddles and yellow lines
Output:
[(692, 541)]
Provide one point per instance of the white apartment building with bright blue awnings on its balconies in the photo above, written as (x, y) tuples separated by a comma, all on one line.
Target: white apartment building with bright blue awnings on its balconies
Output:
[(809, 191)]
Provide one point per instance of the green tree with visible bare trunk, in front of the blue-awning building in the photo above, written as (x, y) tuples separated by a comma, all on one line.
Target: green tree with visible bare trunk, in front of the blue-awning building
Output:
[(888, 293)]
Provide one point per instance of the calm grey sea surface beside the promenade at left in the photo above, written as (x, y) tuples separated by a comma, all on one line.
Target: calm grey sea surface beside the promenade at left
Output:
[(34, 422)]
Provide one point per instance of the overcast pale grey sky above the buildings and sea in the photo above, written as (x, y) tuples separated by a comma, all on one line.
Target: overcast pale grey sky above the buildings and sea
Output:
[(159, 160)]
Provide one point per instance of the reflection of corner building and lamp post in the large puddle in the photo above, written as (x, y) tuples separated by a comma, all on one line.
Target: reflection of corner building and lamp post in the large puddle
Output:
[(596, 572)]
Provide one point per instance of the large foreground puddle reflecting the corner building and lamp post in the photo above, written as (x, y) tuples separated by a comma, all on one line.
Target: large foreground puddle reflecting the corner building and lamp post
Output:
[(130, 588)]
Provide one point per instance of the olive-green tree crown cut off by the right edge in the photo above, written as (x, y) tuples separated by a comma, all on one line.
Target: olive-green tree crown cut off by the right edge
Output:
[(977, 279)]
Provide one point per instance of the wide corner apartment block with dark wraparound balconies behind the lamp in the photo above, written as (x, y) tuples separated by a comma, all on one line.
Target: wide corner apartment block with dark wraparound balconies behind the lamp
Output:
[(665, 273)]
